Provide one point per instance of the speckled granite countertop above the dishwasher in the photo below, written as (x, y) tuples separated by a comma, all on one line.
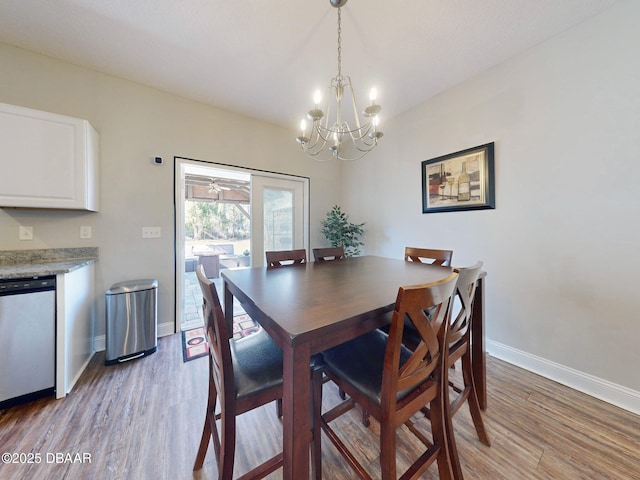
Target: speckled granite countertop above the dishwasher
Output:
[(40, 263)]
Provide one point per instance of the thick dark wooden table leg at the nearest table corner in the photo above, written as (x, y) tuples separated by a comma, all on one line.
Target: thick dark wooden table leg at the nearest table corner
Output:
[(296, 406)]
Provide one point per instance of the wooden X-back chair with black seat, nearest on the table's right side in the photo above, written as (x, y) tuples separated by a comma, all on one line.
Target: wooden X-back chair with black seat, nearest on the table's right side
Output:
[(393, 383)]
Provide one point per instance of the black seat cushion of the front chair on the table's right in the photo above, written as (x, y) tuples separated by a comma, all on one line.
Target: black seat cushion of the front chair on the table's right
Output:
[(360, 362)]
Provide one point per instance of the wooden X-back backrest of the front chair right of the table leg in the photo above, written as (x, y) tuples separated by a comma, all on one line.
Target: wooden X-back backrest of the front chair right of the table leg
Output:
[(425, 362)]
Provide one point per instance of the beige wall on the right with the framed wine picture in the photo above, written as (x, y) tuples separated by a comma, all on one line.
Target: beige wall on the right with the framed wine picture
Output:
[(562, 247)]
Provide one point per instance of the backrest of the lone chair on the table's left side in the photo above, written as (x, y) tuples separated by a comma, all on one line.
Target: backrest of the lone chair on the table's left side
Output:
[(220, 360)]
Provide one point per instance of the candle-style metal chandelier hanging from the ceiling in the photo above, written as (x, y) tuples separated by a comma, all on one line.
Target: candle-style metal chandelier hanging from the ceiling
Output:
[(344, 137)]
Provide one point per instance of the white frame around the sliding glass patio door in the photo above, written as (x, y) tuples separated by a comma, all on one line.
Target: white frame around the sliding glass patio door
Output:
[(179, 216)]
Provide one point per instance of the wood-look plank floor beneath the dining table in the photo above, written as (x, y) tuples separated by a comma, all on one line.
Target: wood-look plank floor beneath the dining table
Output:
[(142, 420)]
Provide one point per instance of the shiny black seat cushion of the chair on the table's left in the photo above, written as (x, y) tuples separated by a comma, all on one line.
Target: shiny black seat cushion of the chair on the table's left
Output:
[(257, 363)]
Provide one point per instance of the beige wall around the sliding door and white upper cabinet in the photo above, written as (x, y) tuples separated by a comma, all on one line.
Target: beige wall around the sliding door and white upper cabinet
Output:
[(135, 124)]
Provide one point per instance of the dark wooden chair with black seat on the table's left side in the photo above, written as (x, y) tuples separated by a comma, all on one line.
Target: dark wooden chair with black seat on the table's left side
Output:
[(244, 374)]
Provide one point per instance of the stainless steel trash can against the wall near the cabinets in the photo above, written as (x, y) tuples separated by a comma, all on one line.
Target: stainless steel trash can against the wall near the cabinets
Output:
[(132, 320)]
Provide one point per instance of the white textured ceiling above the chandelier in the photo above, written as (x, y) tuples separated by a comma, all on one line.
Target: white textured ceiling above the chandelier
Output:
[(265, 59)]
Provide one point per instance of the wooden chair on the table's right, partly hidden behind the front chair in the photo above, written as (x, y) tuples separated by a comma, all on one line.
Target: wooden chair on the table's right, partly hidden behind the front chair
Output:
[(459, 348)]
